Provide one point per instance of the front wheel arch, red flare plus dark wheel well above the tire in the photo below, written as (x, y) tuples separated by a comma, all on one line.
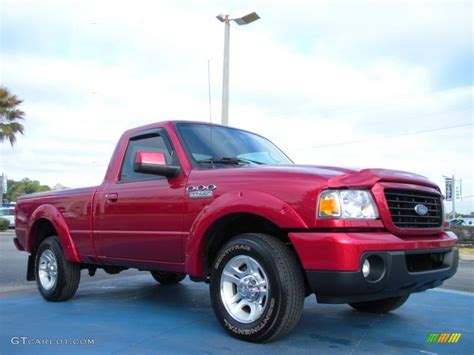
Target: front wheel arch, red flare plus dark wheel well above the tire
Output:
[(232, 214)]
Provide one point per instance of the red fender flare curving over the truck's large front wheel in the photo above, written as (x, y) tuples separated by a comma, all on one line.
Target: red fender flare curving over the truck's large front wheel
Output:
[(253, 202)]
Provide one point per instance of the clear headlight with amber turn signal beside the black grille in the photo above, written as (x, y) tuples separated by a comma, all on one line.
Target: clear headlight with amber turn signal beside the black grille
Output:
[(347, 204)]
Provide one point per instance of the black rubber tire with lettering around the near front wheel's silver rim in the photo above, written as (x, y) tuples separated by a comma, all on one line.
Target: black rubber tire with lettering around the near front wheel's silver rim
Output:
[(284, 298)]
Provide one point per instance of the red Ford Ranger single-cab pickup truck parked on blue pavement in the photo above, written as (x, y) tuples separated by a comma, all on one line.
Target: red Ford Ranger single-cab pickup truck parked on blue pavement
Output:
[(227, 207)]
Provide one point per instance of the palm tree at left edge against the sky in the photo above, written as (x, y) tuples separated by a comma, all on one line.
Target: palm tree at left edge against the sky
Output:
[(9, 116)]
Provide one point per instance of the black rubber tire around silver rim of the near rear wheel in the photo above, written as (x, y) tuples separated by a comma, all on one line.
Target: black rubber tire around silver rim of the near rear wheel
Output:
[(68, 273)]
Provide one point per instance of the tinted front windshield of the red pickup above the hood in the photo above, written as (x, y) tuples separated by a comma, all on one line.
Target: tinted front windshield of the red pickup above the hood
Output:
[(228, 145)]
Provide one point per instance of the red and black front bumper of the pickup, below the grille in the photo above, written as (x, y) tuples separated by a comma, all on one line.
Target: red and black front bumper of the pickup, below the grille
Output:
[(333, 264)]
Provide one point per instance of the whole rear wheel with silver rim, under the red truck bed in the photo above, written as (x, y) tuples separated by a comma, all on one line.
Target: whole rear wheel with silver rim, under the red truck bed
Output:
[(57, 278)]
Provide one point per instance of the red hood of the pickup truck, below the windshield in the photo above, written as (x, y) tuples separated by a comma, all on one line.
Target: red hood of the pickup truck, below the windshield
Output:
[(345, 177)]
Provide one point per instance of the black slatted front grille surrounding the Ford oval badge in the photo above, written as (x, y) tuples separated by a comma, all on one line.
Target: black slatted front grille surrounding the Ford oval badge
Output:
[(402, 208)]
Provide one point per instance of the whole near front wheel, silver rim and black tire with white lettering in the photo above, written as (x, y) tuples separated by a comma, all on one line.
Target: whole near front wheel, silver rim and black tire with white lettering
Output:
[(257, 288)]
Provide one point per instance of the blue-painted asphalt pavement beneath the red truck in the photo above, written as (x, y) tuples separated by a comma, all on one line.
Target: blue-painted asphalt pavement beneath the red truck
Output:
[(131, 313)]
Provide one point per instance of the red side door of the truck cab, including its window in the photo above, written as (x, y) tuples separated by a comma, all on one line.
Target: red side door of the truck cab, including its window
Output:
[(141, 215)]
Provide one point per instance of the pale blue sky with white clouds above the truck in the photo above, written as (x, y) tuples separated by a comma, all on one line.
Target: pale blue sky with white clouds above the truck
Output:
[(368, 84)]
